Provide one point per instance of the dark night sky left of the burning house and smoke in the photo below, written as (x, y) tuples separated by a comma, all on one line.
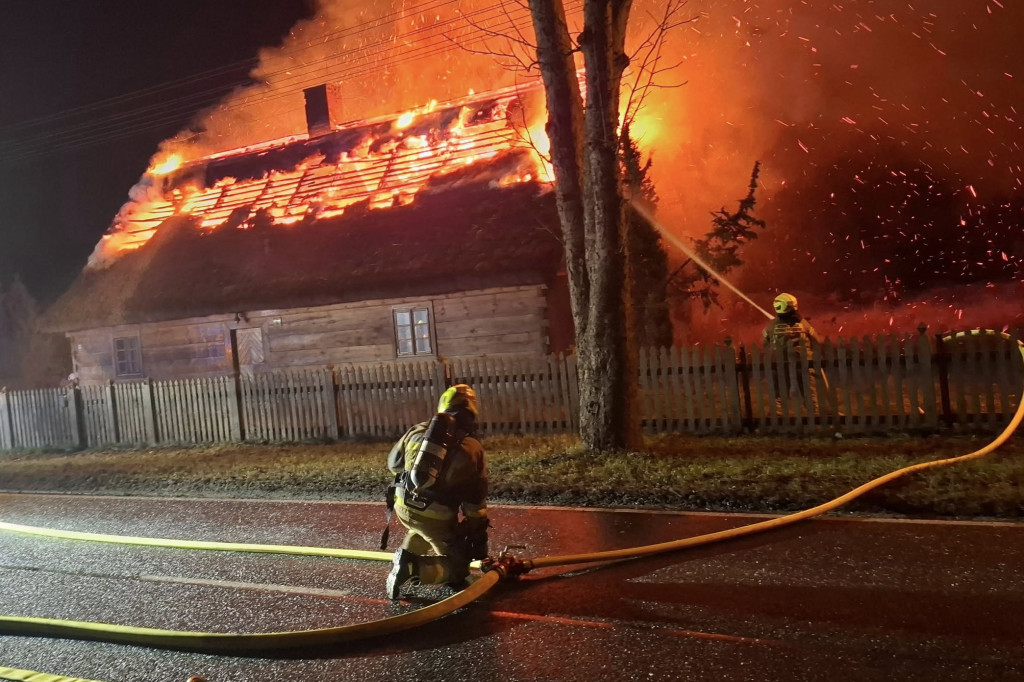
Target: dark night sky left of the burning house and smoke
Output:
[(61, 186)]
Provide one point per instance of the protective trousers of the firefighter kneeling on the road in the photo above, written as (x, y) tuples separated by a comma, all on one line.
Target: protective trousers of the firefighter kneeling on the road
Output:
[(424, 534)]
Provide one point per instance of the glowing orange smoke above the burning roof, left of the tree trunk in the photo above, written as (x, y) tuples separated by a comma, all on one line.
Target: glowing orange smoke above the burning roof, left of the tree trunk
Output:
[(388, 57)]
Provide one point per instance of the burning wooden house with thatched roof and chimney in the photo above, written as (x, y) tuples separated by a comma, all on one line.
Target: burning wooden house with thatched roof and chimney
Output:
[(426, 235)]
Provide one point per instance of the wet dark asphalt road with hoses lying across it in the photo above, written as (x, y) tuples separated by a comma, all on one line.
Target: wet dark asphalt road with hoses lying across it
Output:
[(836, 600)]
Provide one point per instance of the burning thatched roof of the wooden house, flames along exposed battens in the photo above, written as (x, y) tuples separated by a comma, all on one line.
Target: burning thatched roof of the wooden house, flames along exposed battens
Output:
[(378, 211)]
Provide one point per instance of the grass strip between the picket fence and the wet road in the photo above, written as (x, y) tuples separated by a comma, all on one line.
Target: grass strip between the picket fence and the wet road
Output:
[(756, 475)]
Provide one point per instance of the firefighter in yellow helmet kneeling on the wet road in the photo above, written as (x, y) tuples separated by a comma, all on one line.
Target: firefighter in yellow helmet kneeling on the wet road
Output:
[(440, 471)]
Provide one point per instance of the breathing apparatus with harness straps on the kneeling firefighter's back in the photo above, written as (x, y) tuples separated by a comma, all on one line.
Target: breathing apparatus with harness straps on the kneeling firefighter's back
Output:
[(443, 435)]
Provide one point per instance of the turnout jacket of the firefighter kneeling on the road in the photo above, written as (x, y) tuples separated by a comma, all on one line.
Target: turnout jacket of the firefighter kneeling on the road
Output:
[(462, 484)]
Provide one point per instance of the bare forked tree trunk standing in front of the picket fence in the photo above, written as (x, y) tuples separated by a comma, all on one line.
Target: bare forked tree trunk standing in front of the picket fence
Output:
[(608, 364)]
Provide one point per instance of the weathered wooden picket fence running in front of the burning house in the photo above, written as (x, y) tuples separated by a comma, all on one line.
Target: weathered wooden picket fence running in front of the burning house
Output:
[(869, 386)]
